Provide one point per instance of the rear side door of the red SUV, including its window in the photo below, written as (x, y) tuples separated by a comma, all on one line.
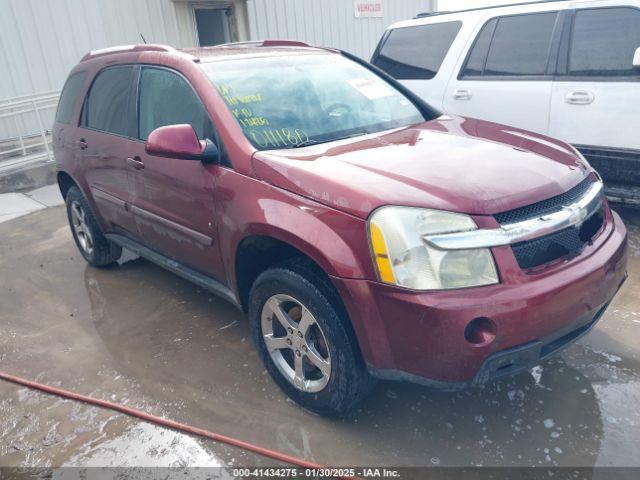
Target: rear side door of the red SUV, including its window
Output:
[(104, 138)]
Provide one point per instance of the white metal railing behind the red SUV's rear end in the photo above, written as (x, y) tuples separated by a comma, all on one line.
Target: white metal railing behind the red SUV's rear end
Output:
[(25, 136)]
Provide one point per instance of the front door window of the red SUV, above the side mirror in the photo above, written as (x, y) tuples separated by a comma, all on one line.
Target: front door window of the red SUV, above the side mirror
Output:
[(167, 99)]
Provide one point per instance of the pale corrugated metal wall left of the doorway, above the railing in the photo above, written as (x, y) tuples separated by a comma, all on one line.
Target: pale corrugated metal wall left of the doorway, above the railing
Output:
[(41, 40)]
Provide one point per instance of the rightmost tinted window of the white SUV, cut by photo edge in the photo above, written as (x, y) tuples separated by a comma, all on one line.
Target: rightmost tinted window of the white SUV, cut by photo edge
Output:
[(604, 41)]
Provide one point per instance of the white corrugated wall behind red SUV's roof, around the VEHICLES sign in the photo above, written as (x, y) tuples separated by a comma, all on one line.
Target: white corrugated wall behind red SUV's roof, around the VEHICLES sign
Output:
[(330, 23)]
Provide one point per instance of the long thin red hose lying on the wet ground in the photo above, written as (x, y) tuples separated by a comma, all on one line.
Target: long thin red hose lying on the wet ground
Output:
[(282, 457)]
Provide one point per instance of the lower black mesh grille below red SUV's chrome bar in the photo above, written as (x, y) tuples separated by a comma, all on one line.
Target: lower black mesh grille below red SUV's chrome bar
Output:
[(565, 243)]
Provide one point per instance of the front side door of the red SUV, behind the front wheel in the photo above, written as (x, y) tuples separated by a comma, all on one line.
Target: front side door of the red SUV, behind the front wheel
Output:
[(173, 199)]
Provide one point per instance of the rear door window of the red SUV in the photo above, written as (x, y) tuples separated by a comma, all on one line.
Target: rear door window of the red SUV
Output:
[(108, 105)]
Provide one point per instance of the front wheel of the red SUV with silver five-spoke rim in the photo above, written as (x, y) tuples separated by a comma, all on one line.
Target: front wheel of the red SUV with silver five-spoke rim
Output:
[(299, 288)]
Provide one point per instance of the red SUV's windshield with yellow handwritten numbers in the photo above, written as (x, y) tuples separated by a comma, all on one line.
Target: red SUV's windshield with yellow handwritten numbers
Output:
[(298, 100)]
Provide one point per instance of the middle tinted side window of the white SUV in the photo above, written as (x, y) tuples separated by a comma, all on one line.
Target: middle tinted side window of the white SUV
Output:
[(521, 44)]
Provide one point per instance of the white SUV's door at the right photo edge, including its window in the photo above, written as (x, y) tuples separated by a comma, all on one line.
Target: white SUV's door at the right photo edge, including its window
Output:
[(596, 98)]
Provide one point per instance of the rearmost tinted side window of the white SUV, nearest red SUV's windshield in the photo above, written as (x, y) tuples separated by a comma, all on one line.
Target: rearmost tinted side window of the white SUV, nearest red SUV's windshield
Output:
[(416, 52)]
